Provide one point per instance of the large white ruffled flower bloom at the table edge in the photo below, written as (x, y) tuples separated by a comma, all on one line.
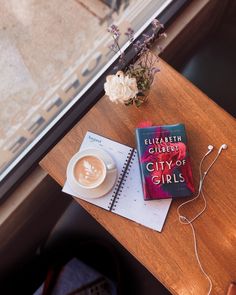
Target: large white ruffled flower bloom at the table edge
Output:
[(120, 88)]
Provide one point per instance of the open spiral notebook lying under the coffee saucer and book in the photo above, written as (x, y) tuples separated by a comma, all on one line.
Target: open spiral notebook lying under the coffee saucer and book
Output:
[(126, 197)]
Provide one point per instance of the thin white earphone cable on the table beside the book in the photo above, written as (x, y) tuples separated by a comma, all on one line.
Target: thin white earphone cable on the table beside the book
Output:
[(185, 220)]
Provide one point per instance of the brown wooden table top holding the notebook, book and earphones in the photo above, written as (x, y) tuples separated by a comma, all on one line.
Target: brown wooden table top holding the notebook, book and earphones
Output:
[(169, 255)]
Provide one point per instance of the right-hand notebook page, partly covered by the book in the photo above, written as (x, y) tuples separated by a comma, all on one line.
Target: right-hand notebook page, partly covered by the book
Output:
[(131, 204)]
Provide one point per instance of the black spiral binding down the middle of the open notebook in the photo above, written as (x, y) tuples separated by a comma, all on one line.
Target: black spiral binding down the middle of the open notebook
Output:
[(121, 180)]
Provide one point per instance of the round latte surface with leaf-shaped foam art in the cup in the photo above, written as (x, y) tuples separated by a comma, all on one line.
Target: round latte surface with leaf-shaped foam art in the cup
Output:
[(89, 171)]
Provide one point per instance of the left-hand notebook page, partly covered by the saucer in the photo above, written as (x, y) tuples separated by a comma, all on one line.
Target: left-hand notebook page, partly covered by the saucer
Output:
[(117, 151)]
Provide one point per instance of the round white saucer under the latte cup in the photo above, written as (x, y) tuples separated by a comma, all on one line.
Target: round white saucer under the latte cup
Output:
[(107, 184)]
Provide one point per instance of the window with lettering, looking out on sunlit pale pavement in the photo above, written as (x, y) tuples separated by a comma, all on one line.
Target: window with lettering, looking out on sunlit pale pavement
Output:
[(51, 52)]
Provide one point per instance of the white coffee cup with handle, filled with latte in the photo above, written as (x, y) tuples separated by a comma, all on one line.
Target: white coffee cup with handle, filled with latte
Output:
[(88, 169)]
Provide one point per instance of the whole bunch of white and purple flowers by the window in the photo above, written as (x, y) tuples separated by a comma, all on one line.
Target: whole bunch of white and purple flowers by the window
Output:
[(130, 86)]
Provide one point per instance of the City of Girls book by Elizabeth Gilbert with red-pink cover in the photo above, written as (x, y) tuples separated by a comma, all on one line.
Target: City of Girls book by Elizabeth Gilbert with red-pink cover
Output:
[(164, 162)]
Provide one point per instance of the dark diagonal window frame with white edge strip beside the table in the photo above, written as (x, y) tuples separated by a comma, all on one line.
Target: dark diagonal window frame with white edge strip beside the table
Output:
[(80, 106)]
